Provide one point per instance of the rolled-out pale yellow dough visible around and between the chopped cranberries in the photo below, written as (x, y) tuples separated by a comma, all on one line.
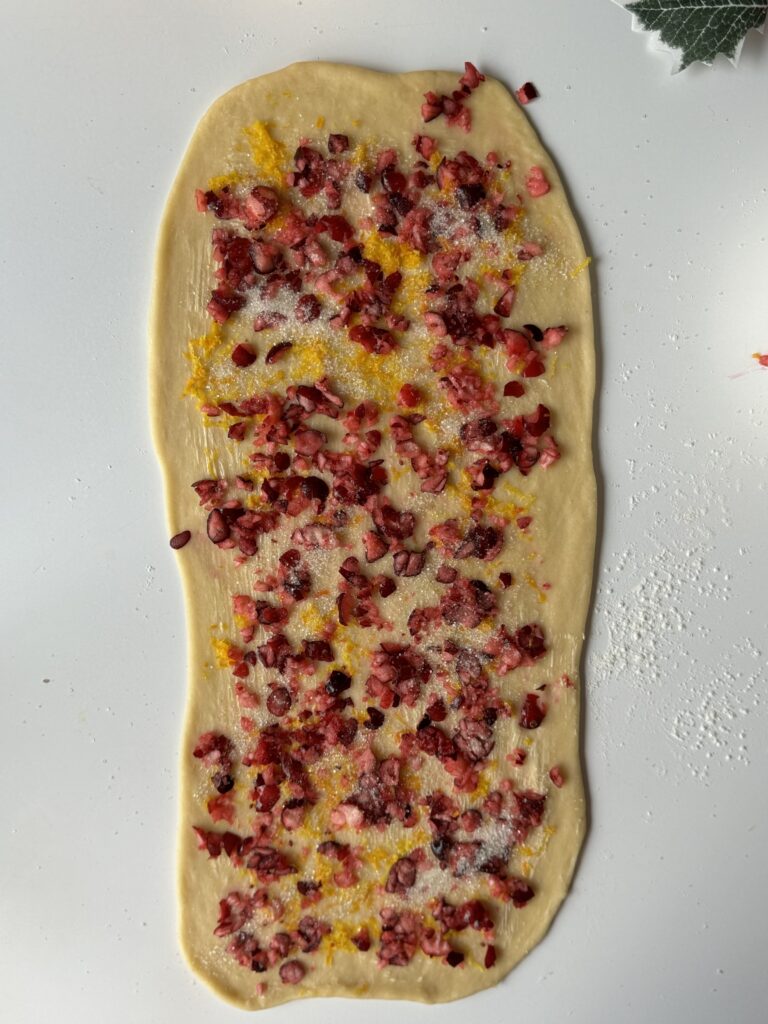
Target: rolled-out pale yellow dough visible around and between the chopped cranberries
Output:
[(550, 561)]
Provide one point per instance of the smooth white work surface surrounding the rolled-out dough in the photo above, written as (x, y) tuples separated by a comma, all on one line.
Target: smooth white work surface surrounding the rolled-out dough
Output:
[(667, 920)]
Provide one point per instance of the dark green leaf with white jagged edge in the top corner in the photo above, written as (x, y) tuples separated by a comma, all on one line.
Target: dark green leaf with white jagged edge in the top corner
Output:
[(699, 30)]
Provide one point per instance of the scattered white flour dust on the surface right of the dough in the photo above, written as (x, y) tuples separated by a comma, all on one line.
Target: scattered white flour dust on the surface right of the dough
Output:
[(667, 669)]
